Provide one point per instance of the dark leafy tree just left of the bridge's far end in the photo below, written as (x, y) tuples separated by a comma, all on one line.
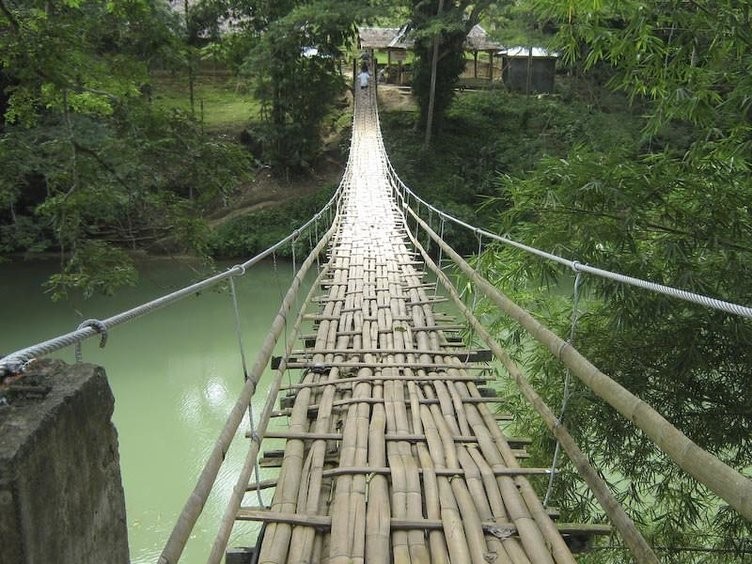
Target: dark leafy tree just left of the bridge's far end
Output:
[(292, 50)]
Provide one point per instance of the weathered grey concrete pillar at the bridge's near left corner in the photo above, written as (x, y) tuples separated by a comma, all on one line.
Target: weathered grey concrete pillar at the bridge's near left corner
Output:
[(61, 495)]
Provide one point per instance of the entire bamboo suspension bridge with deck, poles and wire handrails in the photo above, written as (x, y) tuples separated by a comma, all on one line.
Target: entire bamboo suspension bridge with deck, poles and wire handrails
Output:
[(394, 451)]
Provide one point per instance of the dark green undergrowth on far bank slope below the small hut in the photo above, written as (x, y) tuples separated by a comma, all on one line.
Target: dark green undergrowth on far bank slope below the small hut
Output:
[(491, 133)]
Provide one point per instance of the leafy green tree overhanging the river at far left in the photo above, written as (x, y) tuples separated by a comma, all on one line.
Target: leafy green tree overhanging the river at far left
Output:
[(89, 166)]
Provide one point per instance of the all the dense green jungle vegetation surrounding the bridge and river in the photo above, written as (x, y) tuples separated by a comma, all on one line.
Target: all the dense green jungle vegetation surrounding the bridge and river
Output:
[(639, 162)]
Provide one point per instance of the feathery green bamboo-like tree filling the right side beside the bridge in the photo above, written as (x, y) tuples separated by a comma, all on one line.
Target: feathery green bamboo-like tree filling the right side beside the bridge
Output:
[(672, 207)]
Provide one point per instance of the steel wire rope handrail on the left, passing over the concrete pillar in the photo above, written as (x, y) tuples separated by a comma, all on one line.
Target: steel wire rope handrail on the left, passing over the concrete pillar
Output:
[(16, 361)]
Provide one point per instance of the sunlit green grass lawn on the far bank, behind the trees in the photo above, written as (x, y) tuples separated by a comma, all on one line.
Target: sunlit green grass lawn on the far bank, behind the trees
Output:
[(227, 102)]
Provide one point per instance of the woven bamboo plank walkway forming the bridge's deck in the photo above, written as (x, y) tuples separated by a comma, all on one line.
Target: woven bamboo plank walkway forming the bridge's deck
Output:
[(392, 453)]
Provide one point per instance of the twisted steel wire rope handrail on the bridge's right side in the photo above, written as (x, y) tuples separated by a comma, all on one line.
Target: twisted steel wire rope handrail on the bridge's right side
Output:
[(707, 301)]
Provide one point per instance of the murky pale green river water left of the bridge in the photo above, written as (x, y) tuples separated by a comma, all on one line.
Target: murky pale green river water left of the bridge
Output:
[(175, 375)]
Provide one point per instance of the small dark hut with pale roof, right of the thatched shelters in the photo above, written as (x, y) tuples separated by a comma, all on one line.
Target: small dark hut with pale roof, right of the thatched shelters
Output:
[(528, 70)]
